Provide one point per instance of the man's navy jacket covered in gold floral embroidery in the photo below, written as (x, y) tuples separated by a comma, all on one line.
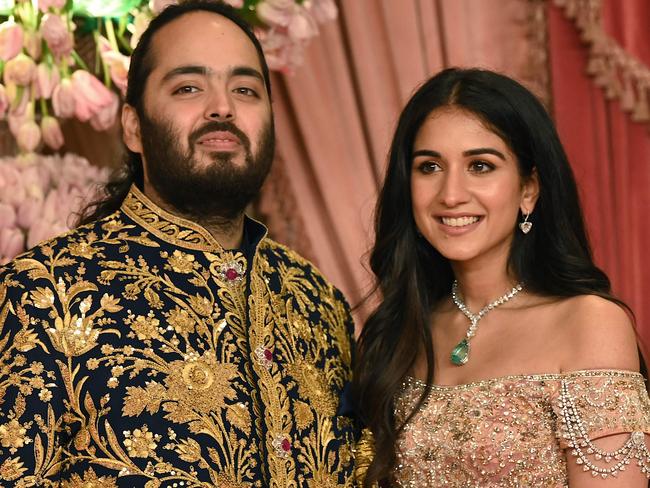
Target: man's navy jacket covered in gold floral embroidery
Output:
[(135, 351)]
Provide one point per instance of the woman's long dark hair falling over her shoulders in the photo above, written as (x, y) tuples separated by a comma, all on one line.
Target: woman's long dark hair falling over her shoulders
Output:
[(554, 259)]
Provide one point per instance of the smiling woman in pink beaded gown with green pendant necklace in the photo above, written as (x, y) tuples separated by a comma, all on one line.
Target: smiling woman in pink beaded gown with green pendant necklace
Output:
[(498, 356)]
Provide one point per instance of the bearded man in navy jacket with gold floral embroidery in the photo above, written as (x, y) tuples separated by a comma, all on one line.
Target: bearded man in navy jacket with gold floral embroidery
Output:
[(170, 343)]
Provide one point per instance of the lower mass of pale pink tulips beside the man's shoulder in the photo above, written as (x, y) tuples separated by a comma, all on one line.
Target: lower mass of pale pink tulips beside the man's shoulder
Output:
[(40, 200)]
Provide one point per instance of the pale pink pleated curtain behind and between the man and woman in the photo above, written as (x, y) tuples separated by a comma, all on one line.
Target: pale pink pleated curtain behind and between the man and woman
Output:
[(335, 115)]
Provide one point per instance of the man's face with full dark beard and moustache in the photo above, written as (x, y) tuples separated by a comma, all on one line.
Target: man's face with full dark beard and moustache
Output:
[(206, 135)]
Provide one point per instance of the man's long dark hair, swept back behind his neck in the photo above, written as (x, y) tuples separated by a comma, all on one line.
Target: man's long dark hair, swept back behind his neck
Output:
[(142, 63)]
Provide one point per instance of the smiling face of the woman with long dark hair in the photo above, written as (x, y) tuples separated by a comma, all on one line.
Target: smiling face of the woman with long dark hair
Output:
[(465, 187)]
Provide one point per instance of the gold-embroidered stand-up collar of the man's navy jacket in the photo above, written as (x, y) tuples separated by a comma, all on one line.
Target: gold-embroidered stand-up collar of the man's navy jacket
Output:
[(177, 230)]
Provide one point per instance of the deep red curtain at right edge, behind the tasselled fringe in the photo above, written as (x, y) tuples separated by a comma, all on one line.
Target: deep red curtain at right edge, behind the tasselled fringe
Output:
[(608, 150)]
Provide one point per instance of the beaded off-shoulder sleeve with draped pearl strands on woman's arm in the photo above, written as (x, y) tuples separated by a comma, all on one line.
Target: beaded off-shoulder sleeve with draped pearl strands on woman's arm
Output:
[(593, 404)]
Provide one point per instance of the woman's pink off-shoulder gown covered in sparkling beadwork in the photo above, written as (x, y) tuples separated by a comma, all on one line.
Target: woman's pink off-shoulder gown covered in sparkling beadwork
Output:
[(520, 431)]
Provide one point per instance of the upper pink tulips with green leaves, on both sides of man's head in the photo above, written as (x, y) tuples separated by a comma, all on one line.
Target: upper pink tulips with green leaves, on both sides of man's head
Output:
[(45, 80)]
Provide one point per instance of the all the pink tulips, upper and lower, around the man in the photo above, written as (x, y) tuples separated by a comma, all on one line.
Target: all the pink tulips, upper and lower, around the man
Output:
[(44, 80)]
